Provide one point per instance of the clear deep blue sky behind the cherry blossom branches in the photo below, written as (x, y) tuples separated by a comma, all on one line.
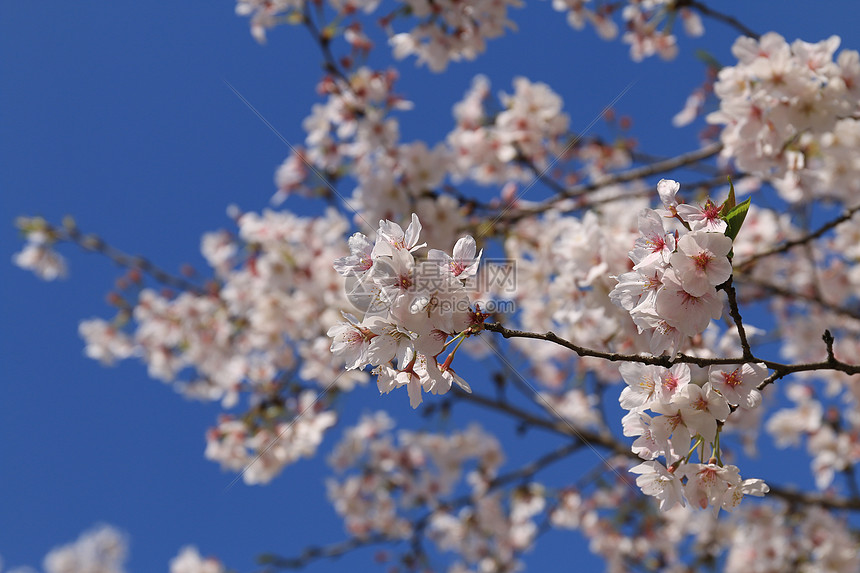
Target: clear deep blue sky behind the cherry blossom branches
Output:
[(118, 113)]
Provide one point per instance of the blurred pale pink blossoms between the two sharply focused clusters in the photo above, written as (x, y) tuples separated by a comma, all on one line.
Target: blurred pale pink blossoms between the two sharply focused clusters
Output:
[(564, 265)]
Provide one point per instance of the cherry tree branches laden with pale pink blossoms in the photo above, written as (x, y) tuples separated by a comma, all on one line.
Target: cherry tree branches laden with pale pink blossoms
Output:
[(711, 295)]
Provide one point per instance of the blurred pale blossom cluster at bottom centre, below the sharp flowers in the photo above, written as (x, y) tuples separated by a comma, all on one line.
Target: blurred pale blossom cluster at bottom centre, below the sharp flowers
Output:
[(420, 470)]
